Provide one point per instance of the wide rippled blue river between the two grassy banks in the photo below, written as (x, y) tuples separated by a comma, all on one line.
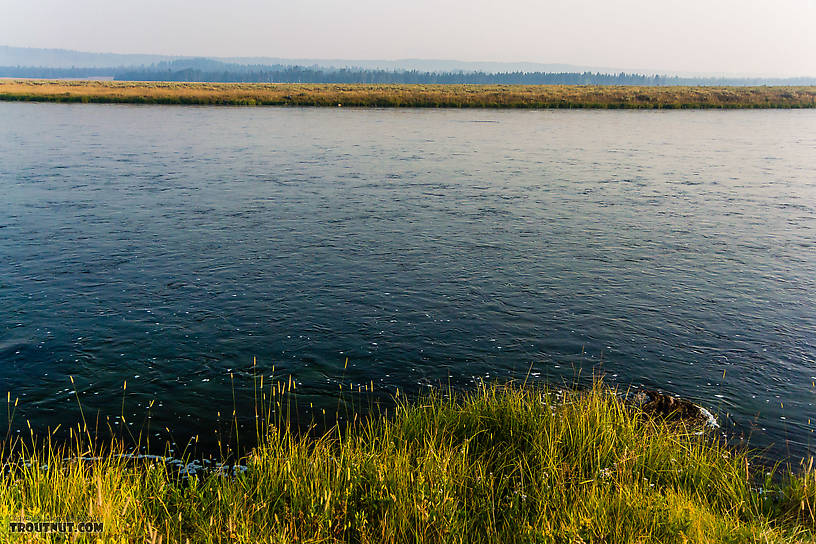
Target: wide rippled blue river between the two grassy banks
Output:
[(167, 246)]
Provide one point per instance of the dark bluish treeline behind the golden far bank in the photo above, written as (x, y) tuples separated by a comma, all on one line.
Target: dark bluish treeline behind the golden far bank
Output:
[(207, 70)]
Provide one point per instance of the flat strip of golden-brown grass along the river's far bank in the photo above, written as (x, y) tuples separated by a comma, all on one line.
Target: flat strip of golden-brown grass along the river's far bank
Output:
[(433, 96)]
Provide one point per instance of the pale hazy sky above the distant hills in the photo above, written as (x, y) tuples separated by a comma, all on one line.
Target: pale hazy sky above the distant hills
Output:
[(726, 36)]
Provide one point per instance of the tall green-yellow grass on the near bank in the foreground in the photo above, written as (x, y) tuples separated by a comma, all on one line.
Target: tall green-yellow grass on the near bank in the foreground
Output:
[(501, 464)]
